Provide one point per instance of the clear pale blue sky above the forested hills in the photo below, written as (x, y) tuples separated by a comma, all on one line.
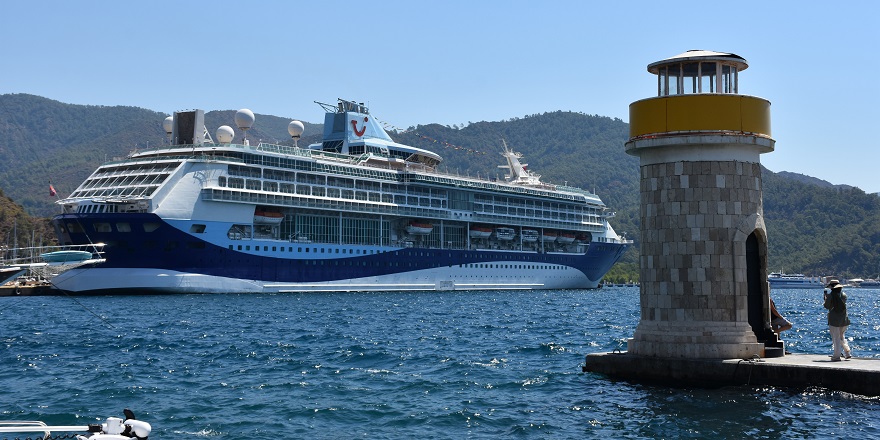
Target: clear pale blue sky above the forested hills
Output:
[(455, 62)]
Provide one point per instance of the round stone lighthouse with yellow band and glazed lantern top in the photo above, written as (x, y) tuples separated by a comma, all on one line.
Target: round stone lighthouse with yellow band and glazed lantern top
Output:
[(703, 260)]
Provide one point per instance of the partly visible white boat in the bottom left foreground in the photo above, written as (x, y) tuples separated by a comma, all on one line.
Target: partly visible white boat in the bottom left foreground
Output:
[(113, 428)]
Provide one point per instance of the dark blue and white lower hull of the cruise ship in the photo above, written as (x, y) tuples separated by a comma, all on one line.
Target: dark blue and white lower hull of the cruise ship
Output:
[(275, 265)]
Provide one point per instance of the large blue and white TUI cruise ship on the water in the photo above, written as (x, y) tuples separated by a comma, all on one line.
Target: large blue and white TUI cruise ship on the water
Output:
[(355, 212)]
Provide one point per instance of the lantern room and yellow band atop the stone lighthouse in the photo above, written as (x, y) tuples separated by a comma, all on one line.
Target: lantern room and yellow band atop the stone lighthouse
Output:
[(698, 93)]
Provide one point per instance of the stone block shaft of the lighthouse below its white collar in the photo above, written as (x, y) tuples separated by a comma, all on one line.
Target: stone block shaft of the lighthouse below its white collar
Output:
[(693, 292)]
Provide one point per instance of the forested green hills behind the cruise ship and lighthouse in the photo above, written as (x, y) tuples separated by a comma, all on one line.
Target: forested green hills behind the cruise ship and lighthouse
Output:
[(814, 227)]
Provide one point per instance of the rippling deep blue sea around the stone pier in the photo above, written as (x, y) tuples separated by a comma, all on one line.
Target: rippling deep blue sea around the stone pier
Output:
[(395, 365)]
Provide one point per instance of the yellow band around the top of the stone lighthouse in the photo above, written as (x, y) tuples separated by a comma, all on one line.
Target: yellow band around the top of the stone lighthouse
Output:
[(697, 114)]
